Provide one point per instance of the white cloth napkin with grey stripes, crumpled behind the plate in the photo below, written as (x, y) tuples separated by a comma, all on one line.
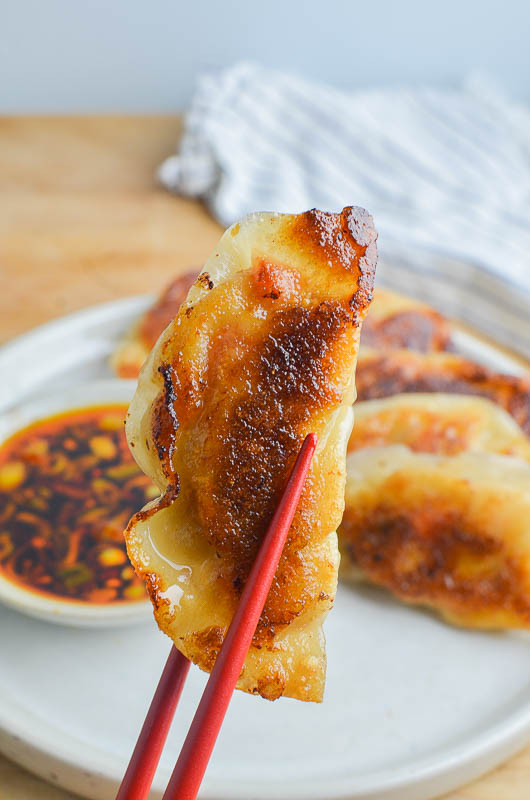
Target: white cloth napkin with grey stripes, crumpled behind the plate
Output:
[(448, 170)]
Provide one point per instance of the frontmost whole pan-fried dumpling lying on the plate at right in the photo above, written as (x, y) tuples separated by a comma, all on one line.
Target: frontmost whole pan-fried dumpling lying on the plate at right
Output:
[(452, 533)]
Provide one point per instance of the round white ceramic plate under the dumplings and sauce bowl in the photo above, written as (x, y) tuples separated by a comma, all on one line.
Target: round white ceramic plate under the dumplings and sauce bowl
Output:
[(412, 708)]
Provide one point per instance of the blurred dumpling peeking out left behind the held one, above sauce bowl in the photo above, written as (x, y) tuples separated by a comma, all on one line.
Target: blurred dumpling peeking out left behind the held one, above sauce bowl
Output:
[(134, 348)]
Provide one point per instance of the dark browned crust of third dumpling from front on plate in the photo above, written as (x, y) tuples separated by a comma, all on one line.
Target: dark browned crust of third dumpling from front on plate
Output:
[(402, 371)]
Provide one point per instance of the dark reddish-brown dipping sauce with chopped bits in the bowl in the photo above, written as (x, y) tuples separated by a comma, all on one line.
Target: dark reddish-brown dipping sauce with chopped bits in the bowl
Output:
[(68, 487)]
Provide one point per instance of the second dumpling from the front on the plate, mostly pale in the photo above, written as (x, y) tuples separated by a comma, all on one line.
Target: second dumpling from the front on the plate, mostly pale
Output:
[(438, 423)]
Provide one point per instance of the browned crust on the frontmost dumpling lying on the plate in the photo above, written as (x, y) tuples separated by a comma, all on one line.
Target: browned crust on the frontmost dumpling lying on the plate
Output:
[(429, 555)]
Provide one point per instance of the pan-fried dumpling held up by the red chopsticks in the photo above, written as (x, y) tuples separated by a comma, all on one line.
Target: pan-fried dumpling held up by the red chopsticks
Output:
[(261, 353)]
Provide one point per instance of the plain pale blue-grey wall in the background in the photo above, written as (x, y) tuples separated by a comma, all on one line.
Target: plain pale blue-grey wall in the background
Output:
[(143, 55)]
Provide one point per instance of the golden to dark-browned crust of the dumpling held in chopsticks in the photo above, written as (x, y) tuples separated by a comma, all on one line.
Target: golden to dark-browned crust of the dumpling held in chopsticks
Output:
[(226, 434)]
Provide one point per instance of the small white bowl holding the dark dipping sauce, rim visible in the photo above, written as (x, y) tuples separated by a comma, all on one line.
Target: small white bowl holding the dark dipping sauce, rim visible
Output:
[(51, 608)]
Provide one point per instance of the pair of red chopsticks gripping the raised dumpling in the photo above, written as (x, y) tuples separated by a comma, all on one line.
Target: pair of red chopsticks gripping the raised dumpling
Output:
[(202, 735)]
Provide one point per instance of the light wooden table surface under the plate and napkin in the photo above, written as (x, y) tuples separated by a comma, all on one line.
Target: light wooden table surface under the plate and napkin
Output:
[(81, 222)]
